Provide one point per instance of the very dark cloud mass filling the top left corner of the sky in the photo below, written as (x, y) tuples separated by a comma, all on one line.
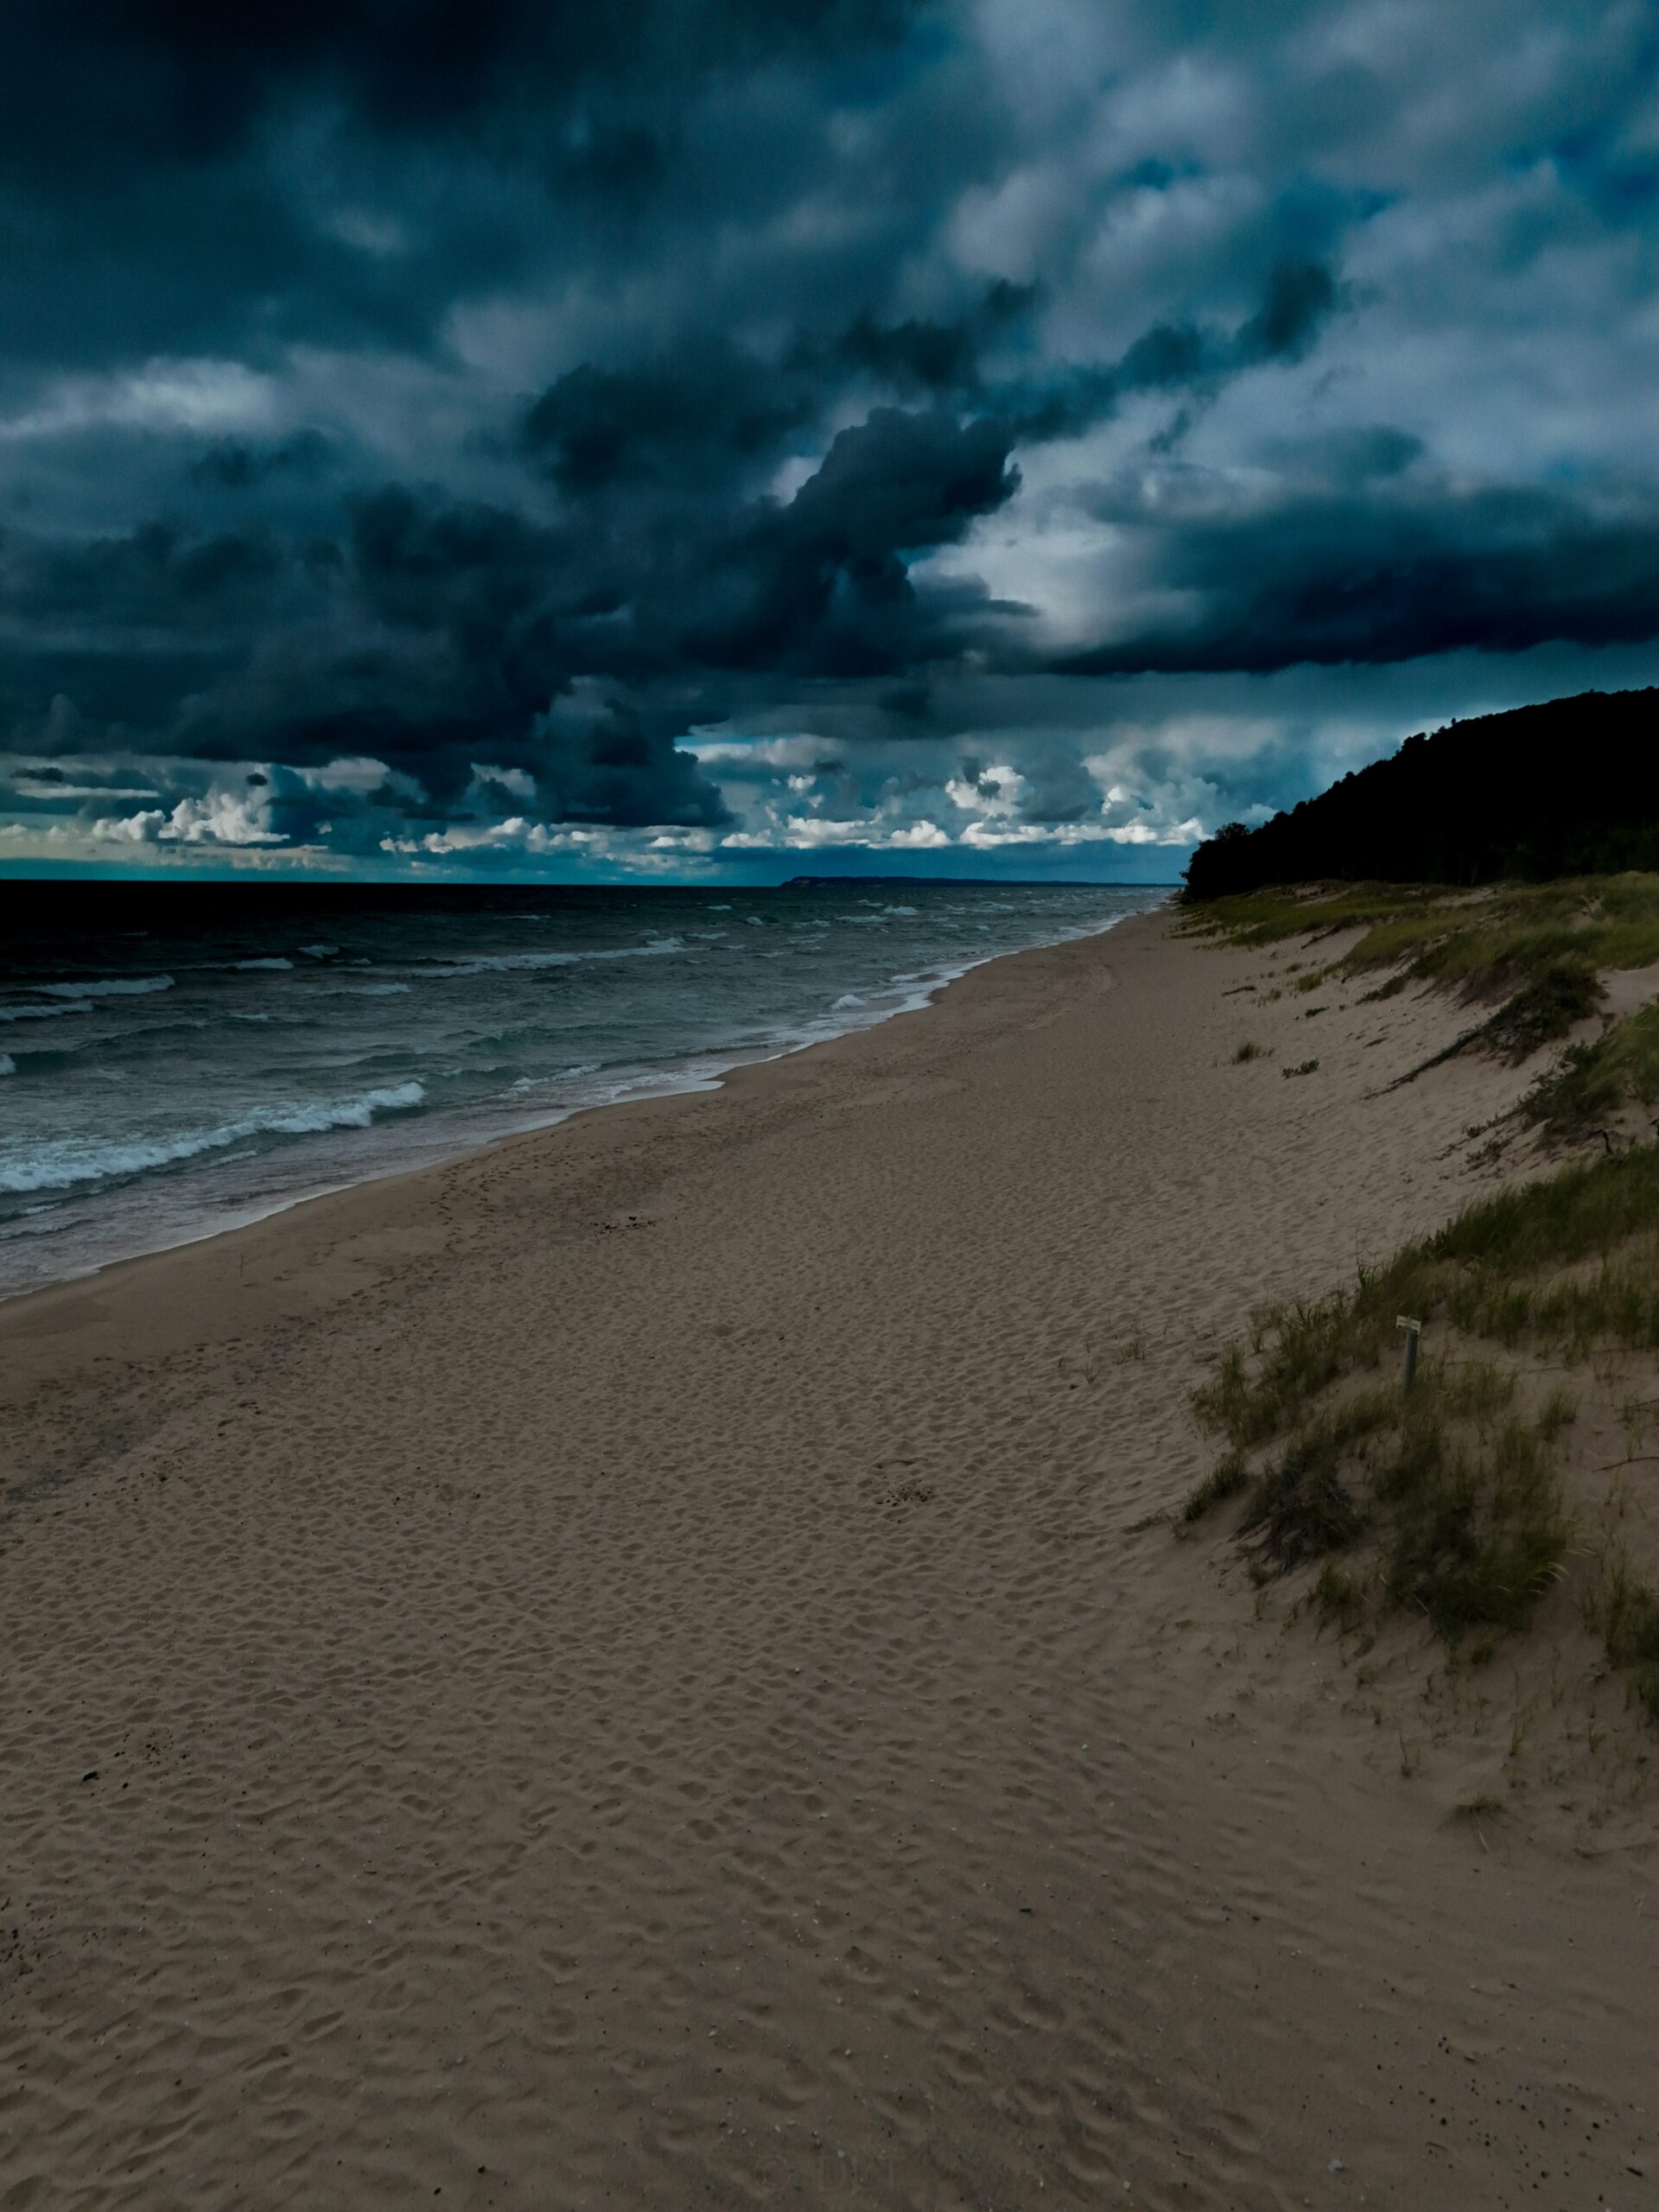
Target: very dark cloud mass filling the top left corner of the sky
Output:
[(165, 163)]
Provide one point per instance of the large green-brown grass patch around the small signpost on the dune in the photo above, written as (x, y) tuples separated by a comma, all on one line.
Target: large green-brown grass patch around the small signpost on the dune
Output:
[(1448, 1499)]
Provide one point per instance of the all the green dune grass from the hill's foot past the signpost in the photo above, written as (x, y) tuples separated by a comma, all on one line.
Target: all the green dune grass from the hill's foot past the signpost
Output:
[(1457, 1499)]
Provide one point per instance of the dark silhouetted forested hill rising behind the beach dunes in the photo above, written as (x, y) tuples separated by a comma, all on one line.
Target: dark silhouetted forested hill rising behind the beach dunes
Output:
[(1569, 789)]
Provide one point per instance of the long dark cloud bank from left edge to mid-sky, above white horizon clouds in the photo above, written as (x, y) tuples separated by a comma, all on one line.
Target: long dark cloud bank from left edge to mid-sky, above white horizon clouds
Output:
[(432, 632)]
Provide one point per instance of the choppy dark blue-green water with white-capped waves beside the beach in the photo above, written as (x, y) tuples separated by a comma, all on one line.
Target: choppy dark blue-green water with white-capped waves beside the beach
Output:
[(176, 1058)]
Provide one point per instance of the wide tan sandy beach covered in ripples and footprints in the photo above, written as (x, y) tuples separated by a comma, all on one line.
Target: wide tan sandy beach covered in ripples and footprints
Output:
[(649, 1667)]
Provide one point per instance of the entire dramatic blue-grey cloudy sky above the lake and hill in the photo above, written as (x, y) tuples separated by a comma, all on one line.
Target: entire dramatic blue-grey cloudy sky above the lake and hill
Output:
[(735, 439)]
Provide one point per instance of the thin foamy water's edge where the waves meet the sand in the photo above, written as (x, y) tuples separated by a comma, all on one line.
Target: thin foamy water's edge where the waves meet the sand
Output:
[(240, 1218)]
